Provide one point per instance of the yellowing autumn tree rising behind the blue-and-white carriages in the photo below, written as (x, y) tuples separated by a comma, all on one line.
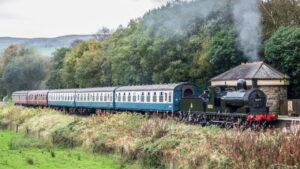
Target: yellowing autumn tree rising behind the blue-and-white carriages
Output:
[(84, 66)]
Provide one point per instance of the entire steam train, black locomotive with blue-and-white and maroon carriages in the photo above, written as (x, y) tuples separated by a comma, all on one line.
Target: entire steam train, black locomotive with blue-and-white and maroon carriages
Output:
[(221, 105)]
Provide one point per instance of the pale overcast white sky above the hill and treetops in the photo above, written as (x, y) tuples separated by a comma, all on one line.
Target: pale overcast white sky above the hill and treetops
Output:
[(51, 18)]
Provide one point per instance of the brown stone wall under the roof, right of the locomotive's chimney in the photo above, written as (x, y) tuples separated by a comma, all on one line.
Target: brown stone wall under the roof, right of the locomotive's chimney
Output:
[(275, 94)]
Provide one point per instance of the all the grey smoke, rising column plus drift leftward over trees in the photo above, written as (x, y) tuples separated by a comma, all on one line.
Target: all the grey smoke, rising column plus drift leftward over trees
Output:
[(245, 13)]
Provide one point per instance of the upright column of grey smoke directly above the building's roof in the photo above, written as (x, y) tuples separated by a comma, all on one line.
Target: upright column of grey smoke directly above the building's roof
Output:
[(248, 24)]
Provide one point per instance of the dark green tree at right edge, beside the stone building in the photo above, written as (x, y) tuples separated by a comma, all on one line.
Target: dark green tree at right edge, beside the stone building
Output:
[(282, 51)]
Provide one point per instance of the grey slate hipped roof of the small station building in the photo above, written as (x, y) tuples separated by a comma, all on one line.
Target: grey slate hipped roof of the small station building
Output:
[(248, 71)]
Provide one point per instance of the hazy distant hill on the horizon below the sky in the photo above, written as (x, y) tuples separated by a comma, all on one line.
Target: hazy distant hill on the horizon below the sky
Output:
[(45, 45)]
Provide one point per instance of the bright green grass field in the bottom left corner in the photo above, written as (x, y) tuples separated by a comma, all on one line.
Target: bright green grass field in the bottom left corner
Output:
[(12, 157)]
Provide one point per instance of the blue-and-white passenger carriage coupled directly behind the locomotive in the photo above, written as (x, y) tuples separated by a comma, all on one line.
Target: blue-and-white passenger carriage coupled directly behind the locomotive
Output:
[(162, 97)]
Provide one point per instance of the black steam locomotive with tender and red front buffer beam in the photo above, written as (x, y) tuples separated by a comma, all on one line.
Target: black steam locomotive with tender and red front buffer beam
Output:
[(229, 106)]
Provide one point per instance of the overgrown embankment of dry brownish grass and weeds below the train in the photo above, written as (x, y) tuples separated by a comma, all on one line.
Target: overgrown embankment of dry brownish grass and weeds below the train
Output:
[(159, 143)]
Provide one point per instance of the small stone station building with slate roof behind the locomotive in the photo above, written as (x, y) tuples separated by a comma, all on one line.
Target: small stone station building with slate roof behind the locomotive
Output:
[(271, 81)]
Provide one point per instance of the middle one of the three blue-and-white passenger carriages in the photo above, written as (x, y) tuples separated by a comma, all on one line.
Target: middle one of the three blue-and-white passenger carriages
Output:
[(101, 98)]
